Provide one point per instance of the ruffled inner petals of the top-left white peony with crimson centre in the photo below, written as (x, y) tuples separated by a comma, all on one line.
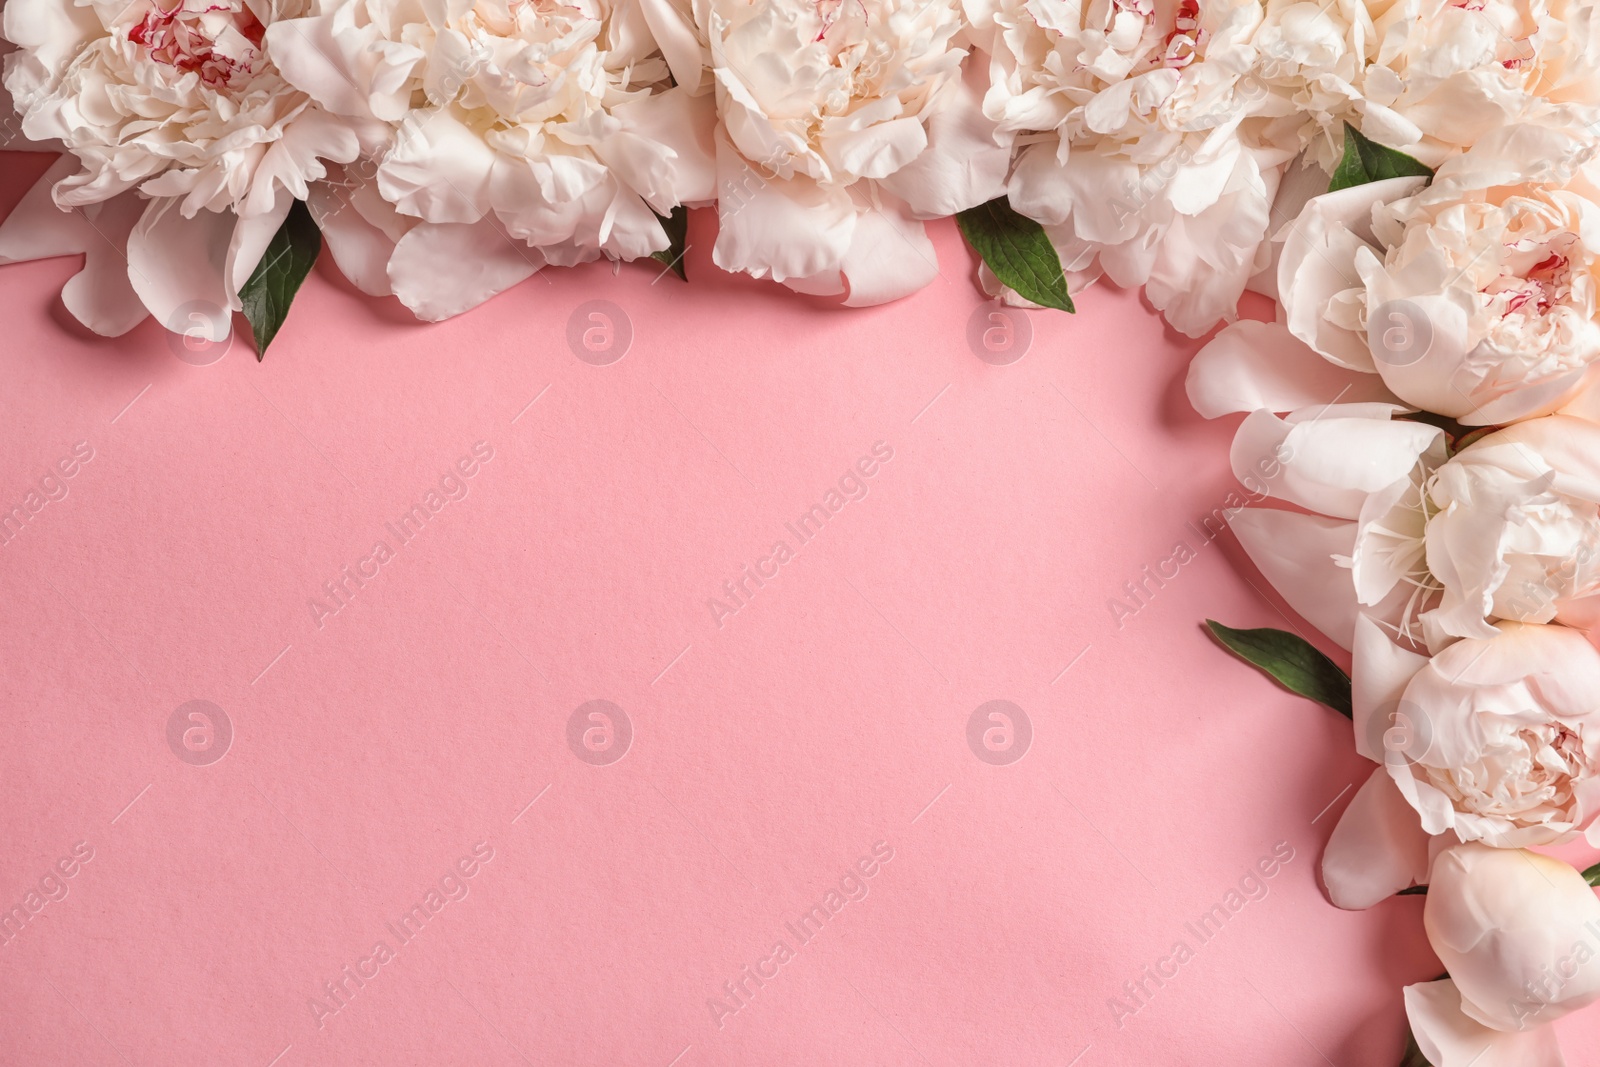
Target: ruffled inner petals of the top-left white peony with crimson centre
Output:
[(177, 102)]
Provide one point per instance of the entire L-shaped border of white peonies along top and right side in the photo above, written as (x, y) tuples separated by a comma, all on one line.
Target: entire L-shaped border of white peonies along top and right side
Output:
[(1415, 183)]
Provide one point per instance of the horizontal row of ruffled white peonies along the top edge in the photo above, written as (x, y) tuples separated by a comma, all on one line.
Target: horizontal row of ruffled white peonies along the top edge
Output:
[(449, 151)]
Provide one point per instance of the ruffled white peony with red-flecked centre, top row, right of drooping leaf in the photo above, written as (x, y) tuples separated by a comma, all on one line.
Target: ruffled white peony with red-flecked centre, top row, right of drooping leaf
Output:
[(1140, 146)]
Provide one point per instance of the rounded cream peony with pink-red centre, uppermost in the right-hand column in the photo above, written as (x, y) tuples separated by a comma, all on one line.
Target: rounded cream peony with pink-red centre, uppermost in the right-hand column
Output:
[(1474, 298)]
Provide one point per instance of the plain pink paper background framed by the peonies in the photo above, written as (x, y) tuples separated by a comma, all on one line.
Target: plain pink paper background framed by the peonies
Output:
[(822, 721)]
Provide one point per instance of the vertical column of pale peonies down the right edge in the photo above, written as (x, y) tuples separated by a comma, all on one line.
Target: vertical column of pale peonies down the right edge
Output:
[(1428, 407)]
